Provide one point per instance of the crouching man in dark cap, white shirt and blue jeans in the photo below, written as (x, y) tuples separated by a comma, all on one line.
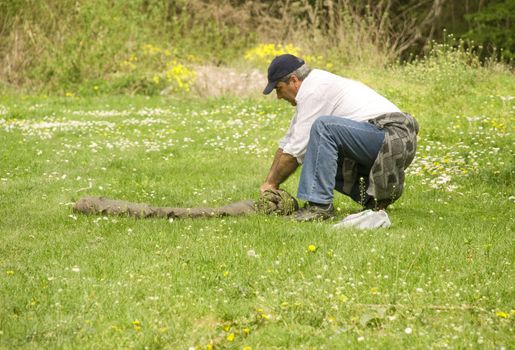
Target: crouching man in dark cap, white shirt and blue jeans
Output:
[(346, 136)]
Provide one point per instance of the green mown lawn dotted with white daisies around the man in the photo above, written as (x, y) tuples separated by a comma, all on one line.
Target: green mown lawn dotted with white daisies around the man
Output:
[(440, 277)]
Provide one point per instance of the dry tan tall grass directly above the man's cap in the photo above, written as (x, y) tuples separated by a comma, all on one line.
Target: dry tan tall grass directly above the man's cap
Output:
[(345, 33)]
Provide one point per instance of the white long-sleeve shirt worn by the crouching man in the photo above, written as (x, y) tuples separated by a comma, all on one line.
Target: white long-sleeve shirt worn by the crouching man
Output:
[(322, 93)]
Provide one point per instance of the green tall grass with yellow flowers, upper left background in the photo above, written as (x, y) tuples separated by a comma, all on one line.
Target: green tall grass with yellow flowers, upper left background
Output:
[(81, 46)]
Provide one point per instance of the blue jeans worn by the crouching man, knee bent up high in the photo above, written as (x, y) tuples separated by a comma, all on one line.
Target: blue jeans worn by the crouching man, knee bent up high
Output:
[(332, 138)]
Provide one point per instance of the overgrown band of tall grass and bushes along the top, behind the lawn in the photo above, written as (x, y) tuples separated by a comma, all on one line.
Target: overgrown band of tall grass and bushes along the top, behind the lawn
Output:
[(92, 47)]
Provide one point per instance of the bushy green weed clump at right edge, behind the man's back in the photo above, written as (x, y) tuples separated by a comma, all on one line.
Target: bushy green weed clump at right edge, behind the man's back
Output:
[(450, 71)]
